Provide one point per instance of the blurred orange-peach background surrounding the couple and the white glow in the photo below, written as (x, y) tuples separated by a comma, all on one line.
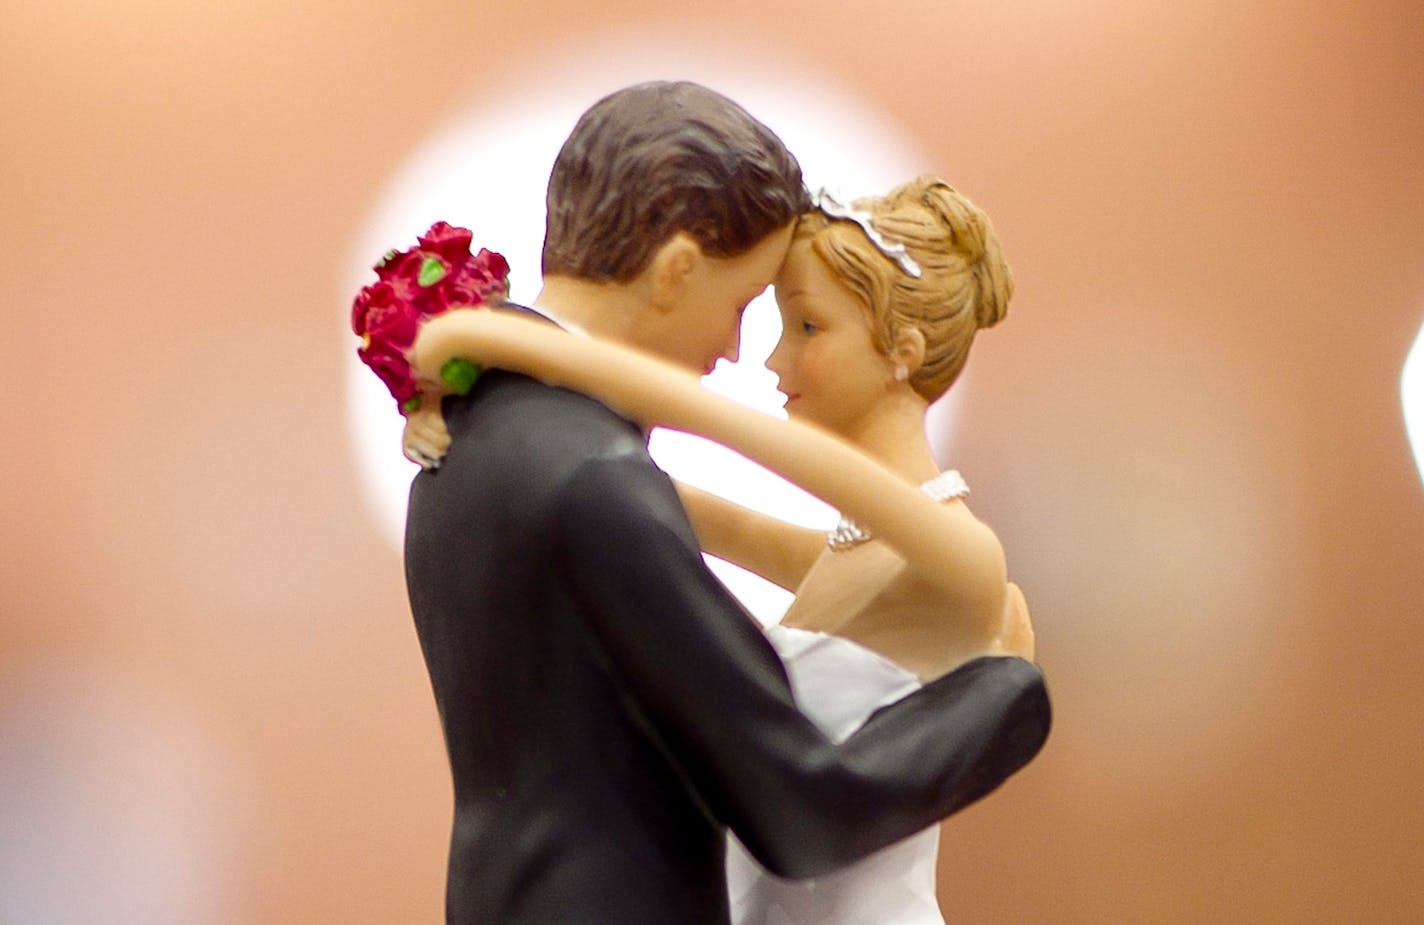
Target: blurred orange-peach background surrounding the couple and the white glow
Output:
[(1188, 435)]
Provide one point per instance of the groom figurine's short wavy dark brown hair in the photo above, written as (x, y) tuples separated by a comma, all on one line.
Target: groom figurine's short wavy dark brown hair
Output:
[(654, 160)]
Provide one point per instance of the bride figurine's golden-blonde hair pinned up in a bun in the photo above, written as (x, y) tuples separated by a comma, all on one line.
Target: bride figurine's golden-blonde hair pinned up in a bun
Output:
[(965, 282)]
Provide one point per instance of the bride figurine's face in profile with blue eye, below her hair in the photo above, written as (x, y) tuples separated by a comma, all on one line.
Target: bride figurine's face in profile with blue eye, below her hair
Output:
[(827, 361)]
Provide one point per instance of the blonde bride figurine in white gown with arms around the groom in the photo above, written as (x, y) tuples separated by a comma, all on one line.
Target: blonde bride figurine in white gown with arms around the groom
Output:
[(881, 302)]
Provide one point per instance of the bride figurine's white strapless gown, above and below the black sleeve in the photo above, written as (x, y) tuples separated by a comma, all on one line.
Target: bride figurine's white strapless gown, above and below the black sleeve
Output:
[(839, 685)]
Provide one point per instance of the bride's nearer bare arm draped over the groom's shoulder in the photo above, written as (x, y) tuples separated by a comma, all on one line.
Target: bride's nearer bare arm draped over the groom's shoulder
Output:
[(946, 544)]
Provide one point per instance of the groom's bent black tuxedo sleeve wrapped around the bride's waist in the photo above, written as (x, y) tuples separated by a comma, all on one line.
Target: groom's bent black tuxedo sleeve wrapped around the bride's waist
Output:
[(698, 671)]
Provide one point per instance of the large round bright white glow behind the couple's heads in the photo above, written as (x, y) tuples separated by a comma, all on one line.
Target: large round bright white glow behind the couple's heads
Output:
[(488, 171)]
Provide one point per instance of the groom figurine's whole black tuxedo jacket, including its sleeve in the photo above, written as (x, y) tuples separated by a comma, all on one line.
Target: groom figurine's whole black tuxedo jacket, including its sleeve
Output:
[(610, 709)]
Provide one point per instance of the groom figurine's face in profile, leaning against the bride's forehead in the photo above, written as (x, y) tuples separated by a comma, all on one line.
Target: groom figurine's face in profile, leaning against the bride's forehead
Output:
[(708, 317)]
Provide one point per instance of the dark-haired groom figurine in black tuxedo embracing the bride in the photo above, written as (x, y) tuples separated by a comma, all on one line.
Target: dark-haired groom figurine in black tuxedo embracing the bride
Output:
[(609, 709)]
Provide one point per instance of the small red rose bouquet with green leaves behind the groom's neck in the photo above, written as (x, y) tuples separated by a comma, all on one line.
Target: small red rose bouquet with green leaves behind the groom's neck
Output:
[(438, 275)]
